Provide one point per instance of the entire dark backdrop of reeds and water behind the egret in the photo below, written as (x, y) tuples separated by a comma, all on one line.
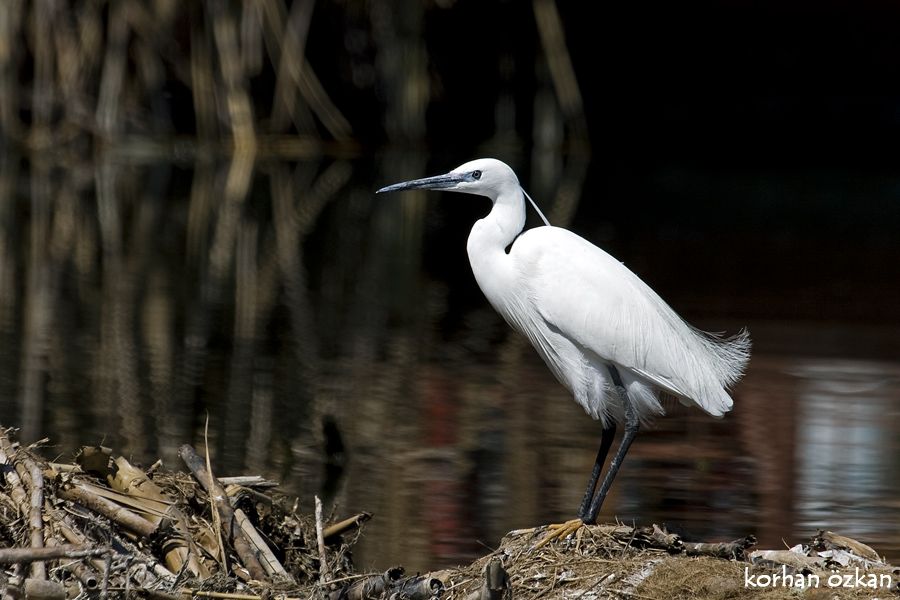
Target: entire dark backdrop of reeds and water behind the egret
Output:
[(740, 157)]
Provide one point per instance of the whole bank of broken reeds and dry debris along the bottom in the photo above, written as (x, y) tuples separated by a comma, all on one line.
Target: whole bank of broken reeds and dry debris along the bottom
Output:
[(103, 528)]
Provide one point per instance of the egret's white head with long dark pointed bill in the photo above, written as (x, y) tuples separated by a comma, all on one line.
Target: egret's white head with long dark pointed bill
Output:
[(484, 177)]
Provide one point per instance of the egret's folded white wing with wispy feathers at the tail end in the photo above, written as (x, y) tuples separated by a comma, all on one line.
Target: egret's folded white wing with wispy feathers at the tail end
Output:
[(599, 304)]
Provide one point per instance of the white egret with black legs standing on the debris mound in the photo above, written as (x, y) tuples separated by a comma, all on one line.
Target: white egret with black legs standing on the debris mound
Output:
[(606, 336)]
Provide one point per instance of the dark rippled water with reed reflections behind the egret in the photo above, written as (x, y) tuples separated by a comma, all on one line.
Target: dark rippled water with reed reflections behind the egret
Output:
[(337, 342)]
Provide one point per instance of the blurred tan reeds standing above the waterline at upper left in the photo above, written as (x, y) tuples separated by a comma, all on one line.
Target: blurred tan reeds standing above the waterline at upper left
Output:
[(114, 73)]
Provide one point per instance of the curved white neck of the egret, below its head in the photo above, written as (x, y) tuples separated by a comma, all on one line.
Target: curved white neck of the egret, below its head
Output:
[(488, 241)]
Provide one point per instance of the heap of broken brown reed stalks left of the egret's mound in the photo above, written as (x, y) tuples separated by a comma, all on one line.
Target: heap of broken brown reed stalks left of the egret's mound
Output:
[(101, 527)]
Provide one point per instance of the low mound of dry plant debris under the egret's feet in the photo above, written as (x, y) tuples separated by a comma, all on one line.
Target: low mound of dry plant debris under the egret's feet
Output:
[(619, 561)]
